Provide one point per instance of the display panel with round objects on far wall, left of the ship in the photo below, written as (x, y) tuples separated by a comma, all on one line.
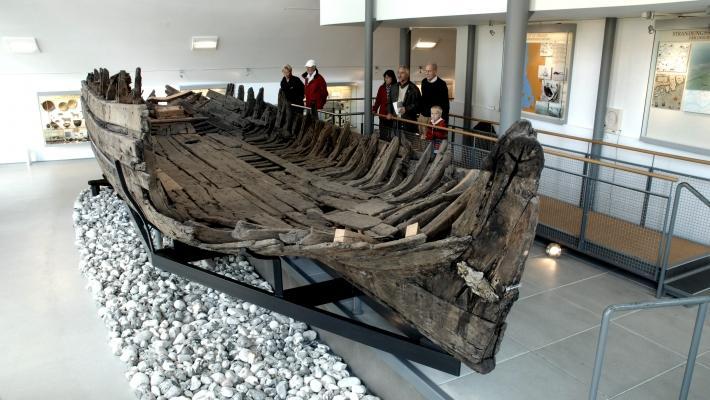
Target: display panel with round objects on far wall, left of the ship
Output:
[(62, 118)]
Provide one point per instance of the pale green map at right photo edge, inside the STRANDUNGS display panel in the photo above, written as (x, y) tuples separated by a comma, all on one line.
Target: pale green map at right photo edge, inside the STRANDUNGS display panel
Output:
[(697, 89)]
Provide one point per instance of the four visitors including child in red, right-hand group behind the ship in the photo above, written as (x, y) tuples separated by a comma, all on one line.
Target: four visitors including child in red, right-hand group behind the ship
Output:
[(399, 97)]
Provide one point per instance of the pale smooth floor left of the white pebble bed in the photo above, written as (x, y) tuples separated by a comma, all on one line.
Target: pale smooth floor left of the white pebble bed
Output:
[(52, 344)]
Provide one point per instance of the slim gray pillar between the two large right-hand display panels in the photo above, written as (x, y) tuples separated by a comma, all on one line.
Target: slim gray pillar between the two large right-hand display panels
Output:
[(592, 170)]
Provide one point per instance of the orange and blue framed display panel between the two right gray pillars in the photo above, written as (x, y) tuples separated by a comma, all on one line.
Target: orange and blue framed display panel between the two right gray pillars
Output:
[(548, 62)]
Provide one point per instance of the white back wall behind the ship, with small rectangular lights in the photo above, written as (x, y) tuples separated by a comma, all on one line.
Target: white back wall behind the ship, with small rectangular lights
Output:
[(261, 36)]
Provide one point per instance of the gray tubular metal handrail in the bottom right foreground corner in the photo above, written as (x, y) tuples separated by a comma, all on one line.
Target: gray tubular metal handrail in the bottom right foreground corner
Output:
[(700, 301)]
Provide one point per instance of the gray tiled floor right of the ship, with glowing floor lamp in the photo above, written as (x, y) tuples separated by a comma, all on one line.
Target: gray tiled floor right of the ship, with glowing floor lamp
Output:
[(548, 351)]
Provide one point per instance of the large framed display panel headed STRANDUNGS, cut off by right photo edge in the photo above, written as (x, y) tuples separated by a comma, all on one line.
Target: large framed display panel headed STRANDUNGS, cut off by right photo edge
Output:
[(678, 95)]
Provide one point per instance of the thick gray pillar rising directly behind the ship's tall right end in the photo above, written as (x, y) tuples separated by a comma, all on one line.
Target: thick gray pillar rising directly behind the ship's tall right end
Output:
[(516, 26)]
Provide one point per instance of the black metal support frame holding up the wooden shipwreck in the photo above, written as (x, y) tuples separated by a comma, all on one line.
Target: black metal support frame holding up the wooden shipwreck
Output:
[(300, 303)]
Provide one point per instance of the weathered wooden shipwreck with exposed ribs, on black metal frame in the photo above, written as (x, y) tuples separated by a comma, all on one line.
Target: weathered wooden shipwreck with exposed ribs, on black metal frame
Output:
[(442, 247)]
